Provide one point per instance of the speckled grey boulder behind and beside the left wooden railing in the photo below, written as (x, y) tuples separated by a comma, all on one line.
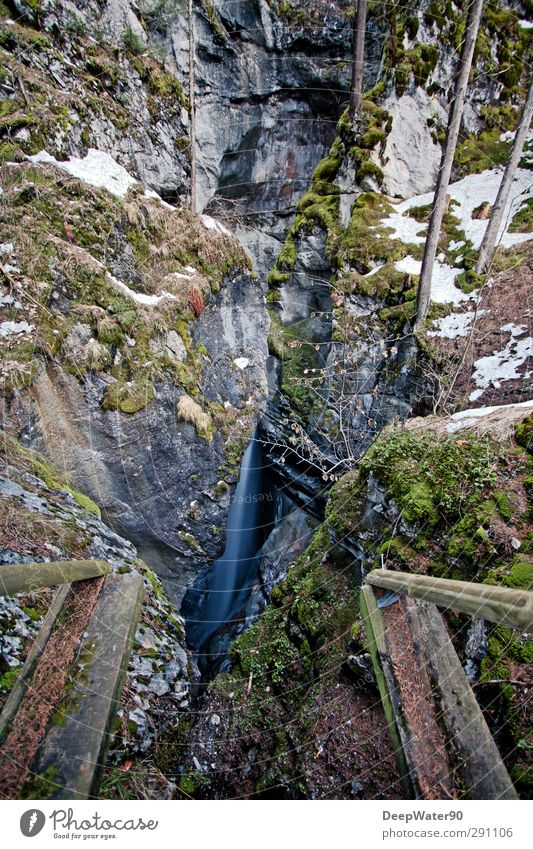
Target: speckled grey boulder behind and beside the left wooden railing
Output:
[(43, 521)]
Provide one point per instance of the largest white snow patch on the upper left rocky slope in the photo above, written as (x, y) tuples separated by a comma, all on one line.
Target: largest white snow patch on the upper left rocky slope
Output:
[(97, 169)]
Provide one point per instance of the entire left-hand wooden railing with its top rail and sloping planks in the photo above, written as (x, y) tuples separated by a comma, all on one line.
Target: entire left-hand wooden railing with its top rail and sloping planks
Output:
[(73, 749)]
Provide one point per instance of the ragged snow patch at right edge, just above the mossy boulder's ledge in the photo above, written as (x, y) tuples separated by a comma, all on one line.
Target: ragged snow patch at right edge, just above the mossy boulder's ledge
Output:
[(502, 365)]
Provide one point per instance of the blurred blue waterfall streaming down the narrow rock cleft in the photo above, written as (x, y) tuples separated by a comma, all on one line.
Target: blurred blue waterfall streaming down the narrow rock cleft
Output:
[(214, 605)]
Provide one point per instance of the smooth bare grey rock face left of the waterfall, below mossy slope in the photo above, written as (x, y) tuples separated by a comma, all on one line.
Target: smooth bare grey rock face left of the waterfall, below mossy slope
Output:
[(153, 476)]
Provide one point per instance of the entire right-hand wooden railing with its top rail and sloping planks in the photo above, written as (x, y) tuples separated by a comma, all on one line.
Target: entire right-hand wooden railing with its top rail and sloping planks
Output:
[(407, 623)]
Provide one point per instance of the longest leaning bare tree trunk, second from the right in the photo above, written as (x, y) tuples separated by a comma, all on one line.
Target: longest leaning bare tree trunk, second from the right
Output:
[(443, 181)]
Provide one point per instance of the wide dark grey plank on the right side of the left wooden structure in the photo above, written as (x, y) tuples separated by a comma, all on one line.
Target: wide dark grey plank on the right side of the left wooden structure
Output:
[(78, 737)]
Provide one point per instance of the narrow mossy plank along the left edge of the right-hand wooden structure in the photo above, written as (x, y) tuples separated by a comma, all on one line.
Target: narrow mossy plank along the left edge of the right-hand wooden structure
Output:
[(375, 632)]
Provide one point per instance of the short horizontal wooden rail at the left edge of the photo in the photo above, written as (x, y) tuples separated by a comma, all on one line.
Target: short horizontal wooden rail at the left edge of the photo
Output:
[(28, 577)]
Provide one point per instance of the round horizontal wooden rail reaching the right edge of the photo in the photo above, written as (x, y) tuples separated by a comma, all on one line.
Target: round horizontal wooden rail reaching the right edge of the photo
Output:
[(513, 608)]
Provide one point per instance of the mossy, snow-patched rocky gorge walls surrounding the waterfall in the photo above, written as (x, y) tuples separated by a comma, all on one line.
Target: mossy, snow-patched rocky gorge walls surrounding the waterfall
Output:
[(144, 345)]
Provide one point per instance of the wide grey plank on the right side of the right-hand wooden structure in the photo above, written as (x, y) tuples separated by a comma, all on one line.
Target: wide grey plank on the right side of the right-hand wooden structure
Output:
[(482, 769)]
